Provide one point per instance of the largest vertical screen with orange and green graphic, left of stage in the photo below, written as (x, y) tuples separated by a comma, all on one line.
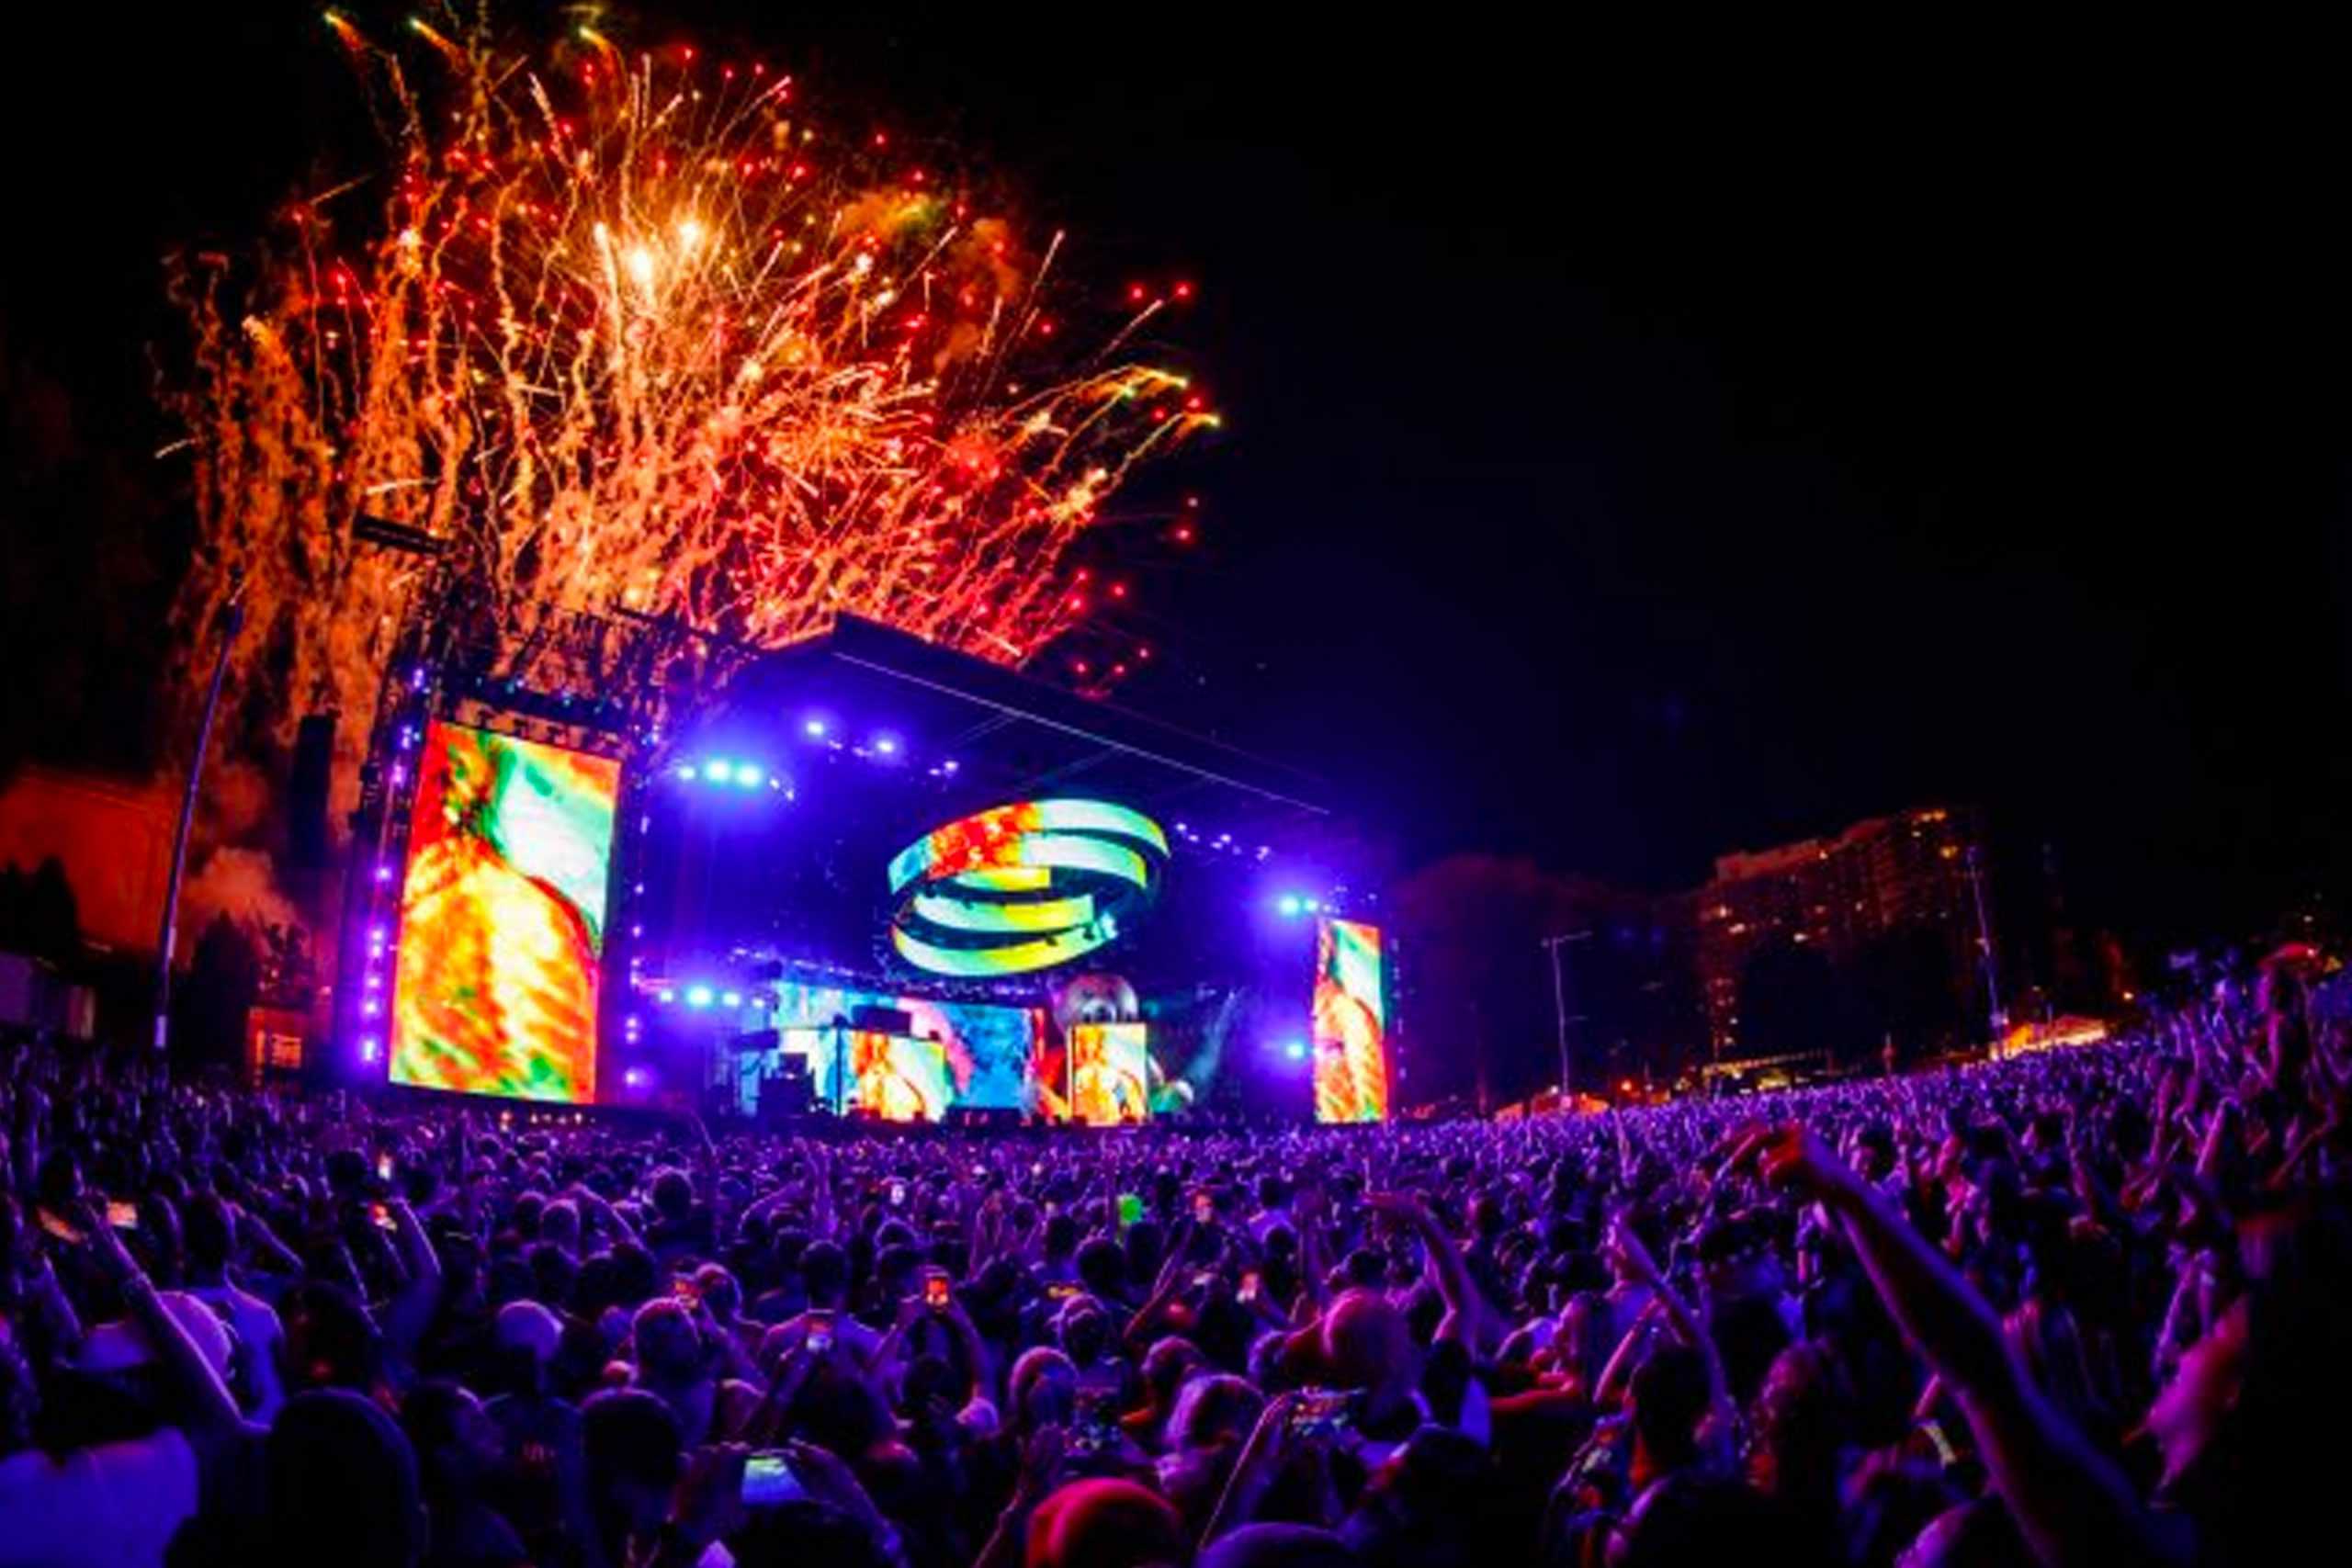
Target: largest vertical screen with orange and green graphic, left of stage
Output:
[(502, 918)]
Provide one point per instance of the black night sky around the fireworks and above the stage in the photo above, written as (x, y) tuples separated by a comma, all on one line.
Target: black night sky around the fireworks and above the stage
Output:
[(1638, 448)]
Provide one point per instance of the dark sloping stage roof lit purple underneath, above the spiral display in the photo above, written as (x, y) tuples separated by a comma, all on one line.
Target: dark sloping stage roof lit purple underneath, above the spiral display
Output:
[(1005, 735)]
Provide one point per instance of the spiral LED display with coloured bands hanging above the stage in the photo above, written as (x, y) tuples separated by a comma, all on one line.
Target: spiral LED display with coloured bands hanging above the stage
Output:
[(1022, 887)]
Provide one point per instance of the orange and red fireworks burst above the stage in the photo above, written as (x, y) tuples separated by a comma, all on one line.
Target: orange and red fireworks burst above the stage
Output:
[(632, 333)]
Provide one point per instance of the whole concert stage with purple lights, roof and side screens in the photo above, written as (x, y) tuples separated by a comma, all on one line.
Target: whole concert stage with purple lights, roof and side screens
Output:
[(874, 880)]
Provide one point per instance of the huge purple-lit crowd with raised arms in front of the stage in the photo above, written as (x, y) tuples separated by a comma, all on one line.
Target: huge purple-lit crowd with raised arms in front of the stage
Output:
[(2078, 1308)]
